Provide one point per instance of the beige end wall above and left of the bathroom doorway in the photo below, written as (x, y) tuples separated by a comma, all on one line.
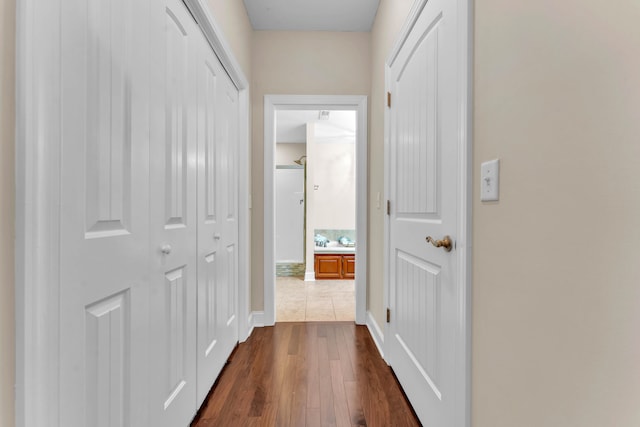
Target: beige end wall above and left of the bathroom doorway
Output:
[(286, 63)]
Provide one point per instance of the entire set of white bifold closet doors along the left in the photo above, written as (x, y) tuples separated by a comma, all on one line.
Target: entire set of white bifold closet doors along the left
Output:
[(148, 215)]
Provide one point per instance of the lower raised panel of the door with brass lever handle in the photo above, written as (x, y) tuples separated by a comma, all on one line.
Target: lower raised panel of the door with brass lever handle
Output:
[(418, 314)]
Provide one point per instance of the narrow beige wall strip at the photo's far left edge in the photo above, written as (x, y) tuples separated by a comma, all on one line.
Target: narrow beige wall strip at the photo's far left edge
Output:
[(7, 208)]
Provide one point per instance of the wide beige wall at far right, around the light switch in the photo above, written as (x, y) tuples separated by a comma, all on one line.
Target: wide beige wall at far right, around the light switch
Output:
[(556, 279)]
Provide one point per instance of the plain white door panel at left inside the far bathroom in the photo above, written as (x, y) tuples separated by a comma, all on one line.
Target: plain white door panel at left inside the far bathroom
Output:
[(289, 215)]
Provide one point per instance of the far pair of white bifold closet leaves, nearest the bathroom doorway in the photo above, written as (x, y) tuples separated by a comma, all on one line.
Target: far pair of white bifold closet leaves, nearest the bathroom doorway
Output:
[(217, 218)]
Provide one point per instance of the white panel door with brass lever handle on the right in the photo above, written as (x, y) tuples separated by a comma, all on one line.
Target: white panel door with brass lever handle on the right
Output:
[(426, 318)]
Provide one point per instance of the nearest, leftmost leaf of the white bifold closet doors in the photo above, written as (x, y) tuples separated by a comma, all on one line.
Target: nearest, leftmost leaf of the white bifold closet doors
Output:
[(104, 181)]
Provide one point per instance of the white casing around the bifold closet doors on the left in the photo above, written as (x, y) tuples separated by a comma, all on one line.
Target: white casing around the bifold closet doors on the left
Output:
[(38, 165)]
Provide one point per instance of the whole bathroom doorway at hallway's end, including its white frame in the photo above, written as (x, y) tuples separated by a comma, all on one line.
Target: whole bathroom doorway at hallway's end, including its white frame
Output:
[(321, 139)]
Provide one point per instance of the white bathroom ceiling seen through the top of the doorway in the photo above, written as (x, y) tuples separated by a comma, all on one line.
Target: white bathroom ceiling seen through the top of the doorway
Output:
[(291, 125)]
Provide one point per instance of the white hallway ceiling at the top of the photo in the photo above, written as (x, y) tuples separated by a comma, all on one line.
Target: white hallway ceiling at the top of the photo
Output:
[(312, 15)]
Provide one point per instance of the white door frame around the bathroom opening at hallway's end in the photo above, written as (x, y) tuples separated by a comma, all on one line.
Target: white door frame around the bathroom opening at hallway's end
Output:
[(272, 104)]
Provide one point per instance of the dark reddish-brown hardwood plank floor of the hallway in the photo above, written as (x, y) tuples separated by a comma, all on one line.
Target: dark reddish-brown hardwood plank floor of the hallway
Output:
[(307, 374)]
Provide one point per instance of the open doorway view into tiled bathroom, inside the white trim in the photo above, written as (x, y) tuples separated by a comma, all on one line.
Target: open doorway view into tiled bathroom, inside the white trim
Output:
[(315, 198)]
